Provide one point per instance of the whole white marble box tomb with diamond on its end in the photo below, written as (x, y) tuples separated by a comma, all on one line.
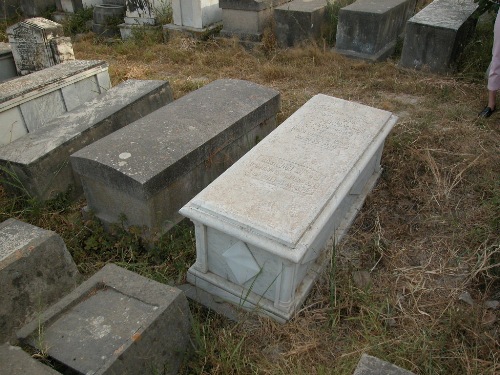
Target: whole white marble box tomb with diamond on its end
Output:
[(262, 226)]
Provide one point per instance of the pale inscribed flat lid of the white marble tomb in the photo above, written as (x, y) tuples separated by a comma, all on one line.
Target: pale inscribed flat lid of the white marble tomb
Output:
[(279, 188)]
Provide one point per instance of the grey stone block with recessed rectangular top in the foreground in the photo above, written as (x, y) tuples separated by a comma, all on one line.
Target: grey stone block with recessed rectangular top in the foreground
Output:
[(116, 322)]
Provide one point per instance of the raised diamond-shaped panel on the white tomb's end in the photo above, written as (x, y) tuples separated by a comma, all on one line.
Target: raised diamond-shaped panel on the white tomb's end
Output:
[(241, 262)]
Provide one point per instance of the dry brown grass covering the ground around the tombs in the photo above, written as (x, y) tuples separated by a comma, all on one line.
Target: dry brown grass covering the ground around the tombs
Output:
[(428, 232)]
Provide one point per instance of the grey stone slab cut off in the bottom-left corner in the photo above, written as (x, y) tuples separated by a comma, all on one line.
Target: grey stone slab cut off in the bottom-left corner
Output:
[(15, 361)]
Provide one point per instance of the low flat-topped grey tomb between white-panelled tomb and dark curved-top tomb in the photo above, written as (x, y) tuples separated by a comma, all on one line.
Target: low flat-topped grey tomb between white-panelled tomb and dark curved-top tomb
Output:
[(38, 163)]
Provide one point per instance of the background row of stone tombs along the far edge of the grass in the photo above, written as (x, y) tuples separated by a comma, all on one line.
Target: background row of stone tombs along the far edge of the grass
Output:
[(433, 39)]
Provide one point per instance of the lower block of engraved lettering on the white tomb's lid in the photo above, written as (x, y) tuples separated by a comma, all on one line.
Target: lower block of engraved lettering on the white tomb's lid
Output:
[(286, 175)]
